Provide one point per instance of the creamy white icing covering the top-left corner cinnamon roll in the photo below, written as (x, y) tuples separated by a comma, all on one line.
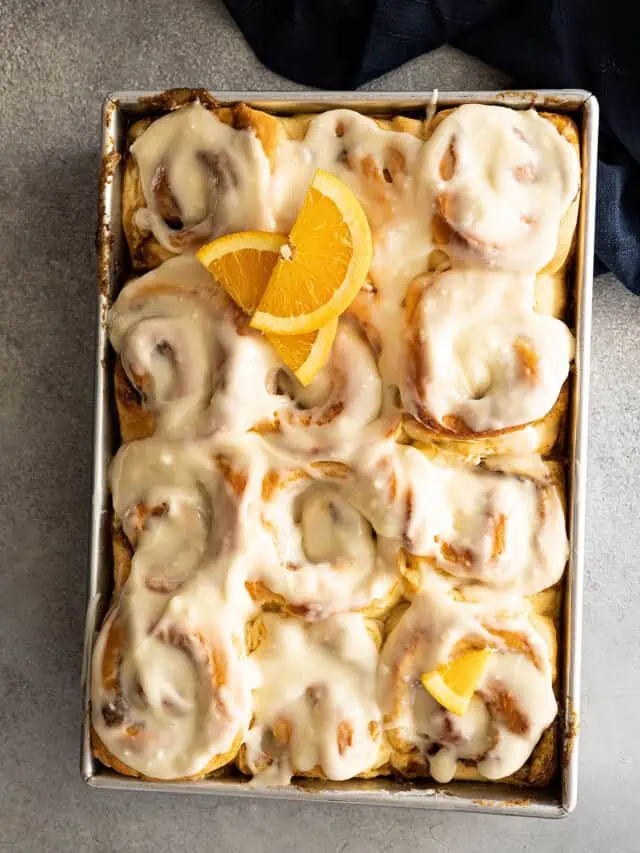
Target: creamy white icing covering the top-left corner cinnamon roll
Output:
[(217, 177)]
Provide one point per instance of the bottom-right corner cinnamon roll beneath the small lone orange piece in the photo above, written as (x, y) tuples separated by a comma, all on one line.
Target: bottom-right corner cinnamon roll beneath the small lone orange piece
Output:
[(511, 707)]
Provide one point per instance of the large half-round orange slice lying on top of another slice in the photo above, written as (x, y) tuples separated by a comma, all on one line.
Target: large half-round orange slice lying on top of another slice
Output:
[(323, 266)]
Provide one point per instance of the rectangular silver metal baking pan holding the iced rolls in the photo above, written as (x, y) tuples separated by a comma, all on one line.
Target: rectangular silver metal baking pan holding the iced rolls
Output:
[(560, 797)]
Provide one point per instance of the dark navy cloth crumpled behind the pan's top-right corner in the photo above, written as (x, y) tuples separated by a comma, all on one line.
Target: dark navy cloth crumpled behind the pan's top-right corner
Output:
[(587, 44)]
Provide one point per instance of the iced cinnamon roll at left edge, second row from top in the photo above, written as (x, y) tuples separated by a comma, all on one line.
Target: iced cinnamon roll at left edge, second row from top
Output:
[(189, 370)]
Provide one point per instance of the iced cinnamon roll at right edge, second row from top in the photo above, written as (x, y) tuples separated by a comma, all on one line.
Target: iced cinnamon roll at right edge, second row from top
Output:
[(480, 359)]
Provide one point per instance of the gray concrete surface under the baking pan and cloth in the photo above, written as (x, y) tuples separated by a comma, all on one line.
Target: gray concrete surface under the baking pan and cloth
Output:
[(57, 60)]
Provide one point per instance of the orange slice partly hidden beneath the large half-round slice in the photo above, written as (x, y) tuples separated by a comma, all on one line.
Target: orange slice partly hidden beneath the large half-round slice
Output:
[(242, 264)]
